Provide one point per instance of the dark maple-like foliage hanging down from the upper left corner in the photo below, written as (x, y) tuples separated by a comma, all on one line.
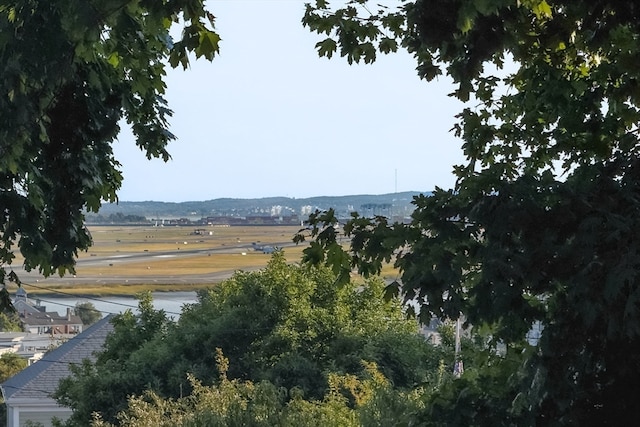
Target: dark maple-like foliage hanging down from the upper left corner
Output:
[(71, 72)]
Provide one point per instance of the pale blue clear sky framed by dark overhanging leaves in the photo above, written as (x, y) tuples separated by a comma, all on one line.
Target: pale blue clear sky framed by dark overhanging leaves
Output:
[(268, 117)]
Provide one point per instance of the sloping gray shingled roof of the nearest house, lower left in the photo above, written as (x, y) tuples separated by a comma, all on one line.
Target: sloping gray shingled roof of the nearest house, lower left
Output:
[(41, 379)]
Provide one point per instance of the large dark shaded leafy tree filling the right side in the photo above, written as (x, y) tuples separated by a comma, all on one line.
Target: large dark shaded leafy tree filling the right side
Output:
[(542, 225)]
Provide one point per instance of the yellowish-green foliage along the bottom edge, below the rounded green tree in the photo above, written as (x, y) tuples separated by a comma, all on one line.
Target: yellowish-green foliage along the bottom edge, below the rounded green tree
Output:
[(235, 402)]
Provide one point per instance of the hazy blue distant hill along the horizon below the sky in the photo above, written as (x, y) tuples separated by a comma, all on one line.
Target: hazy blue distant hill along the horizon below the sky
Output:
[(394, 204)]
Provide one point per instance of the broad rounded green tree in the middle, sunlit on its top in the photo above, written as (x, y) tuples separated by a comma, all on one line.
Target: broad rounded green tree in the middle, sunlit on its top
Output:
[(288, 325)]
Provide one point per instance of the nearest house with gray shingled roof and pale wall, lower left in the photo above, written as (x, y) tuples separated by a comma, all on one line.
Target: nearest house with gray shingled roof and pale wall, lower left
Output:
[(27, 394)]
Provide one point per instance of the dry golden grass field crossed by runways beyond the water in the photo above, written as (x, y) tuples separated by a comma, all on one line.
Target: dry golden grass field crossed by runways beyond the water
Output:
[(130, 259)]
